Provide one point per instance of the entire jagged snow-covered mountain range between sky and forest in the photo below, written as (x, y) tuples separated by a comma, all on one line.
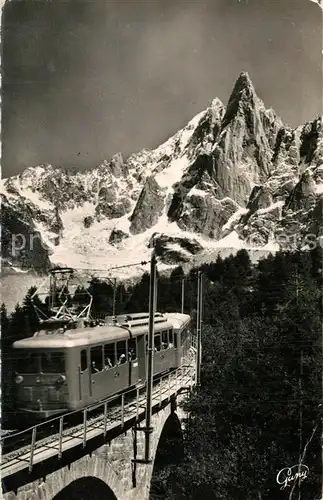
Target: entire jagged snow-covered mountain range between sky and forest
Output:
[(233, 174)]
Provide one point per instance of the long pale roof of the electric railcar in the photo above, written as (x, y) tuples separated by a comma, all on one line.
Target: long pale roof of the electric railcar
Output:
[(95, 335)]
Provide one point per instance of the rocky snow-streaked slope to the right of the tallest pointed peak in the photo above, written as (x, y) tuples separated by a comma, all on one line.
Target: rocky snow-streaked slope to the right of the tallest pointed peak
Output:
[(287, 207)]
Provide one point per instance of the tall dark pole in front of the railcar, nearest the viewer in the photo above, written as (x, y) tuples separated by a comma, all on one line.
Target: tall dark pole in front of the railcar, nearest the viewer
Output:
[(150, 360)]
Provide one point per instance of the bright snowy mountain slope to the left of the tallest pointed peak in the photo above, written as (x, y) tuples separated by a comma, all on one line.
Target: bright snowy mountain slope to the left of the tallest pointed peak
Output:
[(79, 214)]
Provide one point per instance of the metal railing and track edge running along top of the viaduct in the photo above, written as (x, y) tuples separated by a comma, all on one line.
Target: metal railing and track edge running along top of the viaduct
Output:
[(124, 408)]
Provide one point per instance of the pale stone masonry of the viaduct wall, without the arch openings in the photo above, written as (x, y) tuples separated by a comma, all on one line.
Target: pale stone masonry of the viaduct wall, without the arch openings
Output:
[(111, 463)]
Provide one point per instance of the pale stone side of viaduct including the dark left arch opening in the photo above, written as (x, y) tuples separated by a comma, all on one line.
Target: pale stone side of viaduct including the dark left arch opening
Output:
[(108, 470)]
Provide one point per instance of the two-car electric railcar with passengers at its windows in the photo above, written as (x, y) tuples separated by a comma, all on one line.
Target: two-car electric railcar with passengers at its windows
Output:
[(67, 369)]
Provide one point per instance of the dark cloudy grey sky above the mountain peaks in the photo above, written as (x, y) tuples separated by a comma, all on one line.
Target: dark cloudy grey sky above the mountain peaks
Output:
[(83, 80)]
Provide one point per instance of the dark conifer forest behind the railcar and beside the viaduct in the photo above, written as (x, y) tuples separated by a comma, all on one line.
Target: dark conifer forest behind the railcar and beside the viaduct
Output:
[(258, 407)]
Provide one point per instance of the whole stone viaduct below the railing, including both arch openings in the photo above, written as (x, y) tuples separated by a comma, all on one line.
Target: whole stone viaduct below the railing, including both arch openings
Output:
[(104, 468)]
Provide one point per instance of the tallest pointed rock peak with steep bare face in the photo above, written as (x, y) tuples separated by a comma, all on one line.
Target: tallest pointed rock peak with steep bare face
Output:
[(218, 183)]
